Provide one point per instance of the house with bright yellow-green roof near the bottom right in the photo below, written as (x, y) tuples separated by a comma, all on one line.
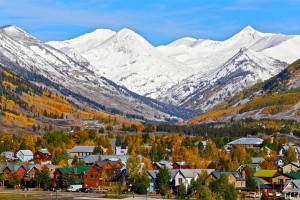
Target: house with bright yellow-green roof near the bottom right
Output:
[(275, 178)]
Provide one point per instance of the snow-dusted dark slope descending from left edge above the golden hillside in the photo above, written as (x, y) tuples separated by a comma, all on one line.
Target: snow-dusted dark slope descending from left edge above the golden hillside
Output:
[(36, 61)]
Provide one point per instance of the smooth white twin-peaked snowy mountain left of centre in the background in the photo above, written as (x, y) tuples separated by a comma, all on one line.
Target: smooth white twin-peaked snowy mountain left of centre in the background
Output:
[(128, 59)]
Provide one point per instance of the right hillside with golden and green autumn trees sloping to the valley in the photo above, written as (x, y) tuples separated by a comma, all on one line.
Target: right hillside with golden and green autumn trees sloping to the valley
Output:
[(276, 98)]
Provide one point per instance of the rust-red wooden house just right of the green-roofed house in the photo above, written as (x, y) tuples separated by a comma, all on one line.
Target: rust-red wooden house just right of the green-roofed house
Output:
[(101, 172)]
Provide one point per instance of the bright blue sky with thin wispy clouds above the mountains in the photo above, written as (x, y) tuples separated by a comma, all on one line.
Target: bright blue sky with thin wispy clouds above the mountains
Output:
[(159, 21)]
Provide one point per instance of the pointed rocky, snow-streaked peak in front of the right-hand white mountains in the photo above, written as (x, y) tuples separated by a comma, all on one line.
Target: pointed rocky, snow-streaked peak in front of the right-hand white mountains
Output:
[(244, 69)]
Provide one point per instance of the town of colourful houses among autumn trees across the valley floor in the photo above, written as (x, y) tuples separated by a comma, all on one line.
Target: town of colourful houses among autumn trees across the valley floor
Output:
[(168, 165)]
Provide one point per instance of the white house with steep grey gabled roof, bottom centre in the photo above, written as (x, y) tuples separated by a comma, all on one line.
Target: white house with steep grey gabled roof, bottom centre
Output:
[(185, 176)]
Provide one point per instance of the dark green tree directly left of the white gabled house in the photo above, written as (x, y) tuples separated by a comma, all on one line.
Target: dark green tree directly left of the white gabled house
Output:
[(163, 181)]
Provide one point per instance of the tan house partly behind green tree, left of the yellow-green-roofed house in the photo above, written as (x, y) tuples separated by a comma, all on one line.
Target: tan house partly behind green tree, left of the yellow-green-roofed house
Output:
[(234, 177)]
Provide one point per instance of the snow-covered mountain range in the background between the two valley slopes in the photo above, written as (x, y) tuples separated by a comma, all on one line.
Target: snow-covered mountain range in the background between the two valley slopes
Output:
[(181, 72)]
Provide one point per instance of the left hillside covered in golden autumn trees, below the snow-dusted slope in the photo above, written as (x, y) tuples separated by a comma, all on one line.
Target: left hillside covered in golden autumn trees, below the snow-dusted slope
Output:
[(26, 107)]
